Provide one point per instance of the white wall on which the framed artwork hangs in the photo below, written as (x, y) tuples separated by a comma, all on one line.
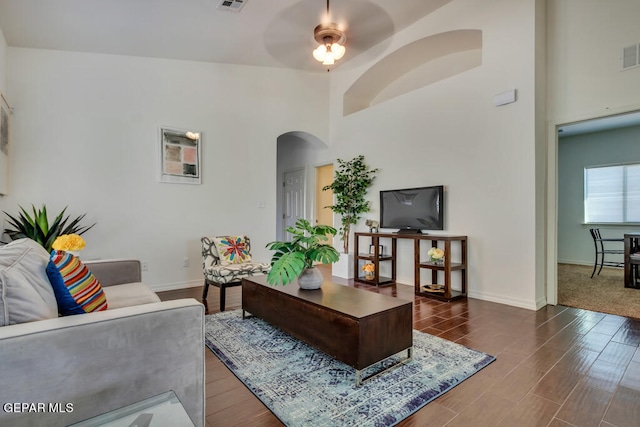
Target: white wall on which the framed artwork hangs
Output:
[(85, 133)]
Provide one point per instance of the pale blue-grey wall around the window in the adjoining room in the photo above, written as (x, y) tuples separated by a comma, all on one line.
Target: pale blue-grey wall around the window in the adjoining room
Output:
[(574, 154)]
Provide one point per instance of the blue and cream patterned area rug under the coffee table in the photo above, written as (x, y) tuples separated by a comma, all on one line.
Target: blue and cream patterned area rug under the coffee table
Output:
[(305, 387)]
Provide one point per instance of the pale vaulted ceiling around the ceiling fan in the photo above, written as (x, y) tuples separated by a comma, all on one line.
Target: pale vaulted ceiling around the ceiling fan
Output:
[(273, 33)]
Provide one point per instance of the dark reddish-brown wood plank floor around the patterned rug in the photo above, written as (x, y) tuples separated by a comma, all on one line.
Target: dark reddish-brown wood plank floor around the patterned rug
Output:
[(555, 367)]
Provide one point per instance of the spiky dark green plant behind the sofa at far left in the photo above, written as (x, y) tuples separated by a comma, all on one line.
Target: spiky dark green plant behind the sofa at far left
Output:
[(37, 227)]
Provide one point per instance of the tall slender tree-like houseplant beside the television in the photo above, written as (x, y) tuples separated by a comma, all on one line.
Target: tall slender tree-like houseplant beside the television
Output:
[(350, 184)]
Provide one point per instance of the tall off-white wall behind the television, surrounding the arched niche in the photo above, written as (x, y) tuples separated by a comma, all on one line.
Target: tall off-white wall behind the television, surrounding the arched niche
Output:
[(450, 133)]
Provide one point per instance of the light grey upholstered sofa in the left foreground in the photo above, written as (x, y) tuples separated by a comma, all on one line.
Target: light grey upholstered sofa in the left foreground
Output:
[(97, 362)]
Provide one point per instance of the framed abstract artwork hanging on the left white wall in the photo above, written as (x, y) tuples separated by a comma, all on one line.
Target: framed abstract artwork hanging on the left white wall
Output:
[(180, 154)]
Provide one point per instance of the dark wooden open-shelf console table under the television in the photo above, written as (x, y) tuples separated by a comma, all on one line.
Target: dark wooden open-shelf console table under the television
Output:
[(444, 292)]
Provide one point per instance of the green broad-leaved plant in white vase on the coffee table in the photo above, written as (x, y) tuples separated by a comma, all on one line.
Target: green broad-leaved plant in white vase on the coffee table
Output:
[(308, 245)]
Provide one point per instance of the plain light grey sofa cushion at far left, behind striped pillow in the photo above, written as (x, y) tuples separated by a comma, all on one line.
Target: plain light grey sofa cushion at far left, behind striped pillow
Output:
[(25, 292)]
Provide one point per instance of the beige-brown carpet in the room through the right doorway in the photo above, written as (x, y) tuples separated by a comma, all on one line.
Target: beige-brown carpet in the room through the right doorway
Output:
[(604, 293)]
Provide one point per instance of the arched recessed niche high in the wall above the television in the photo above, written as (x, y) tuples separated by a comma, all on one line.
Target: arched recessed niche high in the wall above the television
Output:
[(415, 65)]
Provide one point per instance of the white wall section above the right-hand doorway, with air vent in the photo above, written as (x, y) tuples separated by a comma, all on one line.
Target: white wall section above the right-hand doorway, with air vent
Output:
[(586, 38)]
